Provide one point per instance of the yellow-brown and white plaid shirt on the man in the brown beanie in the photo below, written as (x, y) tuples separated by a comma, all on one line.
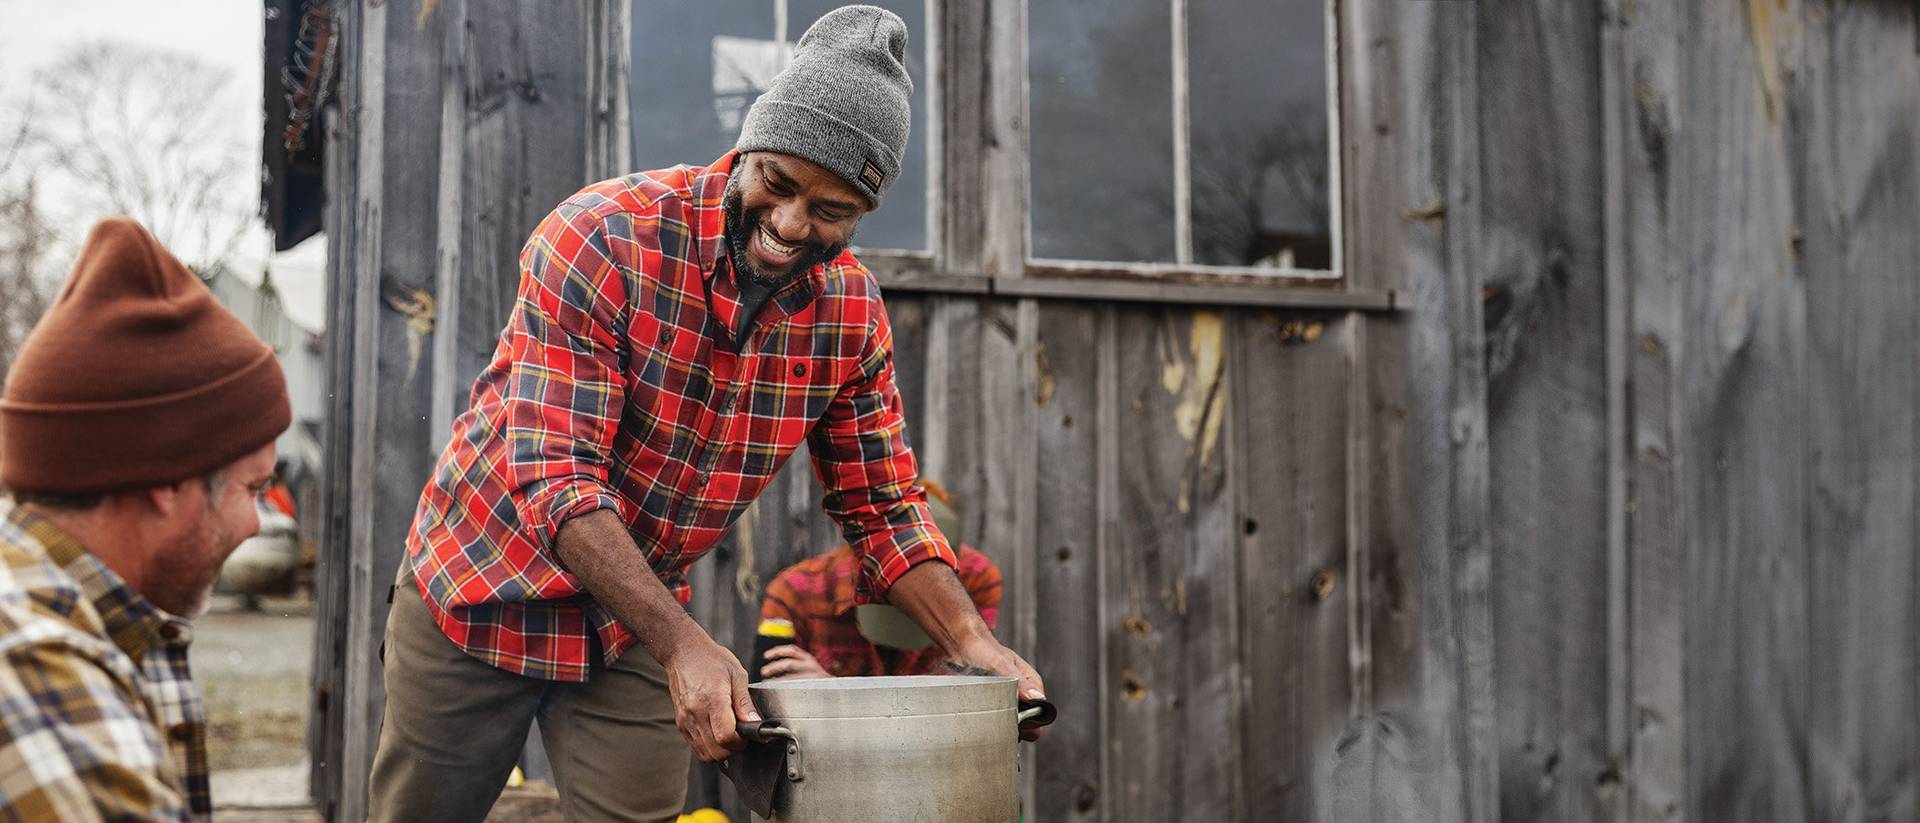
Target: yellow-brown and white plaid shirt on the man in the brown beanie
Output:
[(99, 715)]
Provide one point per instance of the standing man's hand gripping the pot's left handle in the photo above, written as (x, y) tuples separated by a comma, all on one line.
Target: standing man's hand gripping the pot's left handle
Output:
[(709, 699)]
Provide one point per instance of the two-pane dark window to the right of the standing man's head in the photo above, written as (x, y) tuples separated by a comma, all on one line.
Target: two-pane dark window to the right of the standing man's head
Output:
[(1182, 131)]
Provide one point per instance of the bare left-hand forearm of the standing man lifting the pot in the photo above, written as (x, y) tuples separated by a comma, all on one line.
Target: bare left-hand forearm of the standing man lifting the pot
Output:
[(598, 550)]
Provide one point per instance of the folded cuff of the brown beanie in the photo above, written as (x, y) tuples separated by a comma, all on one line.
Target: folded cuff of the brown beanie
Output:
[(99, 448)]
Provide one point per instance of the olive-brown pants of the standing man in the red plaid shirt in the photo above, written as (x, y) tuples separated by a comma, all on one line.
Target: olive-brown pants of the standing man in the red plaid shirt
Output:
[(456, 726)]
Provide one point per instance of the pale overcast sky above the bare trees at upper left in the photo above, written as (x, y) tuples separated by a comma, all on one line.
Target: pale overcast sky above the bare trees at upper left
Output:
[(226, 34)]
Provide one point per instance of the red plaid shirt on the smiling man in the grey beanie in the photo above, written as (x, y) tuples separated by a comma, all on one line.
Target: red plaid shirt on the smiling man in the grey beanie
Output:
[(617, 385)]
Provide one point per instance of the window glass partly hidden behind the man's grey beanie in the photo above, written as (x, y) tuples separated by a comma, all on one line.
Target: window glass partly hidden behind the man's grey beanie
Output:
[(698, 66)]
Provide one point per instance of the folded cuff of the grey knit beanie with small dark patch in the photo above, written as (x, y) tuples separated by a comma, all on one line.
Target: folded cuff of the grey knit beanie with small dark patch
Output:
[(804, 131)]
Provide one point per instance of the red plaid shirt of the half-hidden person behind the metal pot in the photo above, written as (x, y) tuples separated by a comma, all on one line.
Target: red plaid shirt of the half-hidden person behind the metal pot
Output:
[(817, 596)]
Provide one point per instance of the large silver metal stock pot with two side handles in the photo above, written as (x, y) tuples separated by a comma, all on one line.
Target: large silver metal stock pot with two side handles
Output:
[(886, 749)]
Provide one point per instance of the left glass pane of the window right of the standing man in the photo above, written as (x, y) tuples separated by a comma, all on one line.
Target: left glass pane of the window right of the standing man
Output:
[(1101, 108)]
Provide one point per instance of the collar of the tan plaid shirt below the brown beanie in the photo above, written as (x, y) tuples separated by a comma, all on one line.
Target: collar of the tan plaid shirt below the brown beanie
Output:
[(133, 623)]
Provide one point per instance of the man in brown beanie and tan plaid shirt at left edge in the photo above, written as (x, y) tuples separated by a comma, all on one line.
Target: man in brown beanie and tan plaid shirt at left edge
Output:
[(135, 435)]
